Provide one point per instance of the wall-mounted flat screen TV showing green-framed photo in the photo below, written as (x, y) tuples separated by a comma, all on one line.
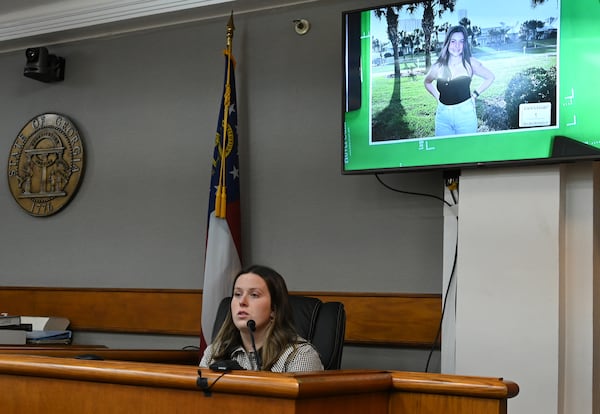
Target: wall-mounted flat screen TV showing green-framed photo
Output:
[(541, 107)]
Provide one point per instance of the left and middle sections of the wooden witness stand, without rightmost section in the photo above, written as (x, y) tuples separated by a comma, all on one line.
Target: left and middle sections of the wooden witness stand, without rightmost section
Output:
[(48, 385)]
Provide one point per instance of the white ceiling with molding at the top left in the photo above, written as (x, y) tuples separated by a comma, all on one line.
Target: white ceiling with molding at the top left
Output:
[(26, 23)]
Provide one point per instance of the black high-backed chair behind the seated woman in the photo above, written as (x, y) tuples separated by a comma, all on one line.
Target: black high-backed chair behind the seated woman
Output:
[(321, 323)]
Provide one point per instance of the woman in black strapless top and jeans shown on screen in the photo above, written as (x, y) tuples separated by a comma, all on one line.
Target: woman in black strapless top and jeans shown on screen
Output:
[(452, 74)]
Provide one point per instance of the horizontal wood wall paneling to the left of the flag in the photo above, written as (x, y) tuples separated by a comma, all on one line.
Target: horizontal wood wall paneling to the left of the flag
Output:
[(174, 312)]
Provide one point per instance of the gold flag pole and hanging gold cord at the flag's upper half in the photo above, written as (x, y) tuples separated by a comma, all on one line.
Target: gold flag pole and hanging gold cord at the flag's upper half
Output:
[(221, 196)]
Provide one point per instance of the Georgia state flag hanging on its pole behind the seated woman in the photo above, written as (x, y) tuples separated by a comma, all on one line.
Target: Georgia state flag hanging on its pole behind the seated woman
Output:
[(223, 241)]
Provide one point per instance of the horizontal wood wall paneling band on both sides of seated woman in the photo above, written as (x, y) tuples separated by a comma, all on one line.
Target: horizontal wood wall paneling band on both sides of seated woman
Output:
[(372, 318)]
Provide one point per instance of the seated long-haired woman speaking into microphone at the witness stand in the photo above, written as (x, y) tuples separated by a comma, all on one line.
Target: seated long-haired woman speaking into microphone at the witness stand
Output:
[(258, 332)]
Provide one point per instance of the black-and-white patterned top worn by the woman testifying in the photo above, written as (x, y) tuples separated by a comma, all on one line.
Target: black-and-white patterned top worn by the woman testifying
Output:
[(297, 357)]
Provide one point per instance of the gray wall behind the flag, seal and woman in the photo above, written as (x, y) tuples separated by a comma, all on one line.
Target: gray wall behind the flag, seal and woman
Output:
[(147, 103)]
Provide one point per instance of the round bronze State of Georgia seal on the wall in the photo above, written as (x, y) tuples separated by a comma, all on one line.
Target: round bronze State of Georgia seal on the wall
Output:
[(45, 164)]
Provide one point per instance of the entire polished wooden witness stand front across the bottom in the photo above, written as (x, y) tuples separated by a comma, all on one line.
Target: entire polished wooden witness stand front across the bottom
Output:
[(40, 384)]
